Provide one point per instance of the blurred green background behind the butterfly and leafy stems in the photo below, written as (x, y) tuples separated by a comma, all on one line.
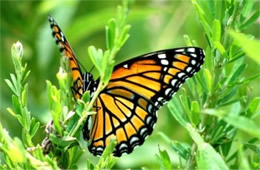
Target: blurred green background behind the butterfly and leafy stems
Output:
[(154, 24)]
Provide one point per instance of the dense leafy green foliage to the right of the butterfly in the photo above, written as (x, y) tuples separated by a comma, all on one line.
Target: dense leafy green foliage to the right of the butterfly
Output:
[(219, 113)]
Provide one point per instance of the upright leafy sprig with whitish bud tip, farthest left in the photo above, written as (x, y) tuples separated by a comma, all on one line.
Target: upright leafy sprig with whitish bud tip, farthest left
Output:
[(20, 89)]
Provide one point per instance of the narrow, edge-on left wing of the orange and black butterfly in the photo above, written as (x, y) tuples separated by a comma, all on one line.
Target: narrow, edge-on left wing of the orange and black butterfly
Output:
[(66, 51)]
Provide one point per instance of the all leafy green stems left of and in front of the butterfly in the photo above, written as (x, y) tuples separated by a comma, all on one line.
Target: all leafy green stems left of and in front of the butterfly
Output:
[(64, 143)]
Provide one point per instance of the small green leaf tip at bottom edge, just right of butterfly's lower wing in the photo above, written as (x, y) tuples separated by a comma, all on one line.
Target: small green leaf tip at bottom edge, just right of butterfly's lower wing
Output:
[(164, 159)]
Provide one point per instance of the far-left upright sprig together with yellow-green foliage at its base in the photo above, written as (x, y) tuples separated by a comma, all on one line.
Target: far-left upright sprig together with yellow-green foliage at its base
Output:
[(23, 154)]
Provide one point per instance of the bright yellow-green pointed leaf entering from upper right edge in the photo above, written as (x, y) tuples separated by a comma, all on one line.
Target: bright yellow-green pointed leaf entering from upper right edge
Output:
[(250, 46)]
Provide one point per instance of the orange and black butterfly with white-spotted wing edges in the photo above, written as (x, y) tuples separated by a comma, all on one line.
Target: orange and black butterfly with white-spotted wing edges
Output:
[(127, 108)]
